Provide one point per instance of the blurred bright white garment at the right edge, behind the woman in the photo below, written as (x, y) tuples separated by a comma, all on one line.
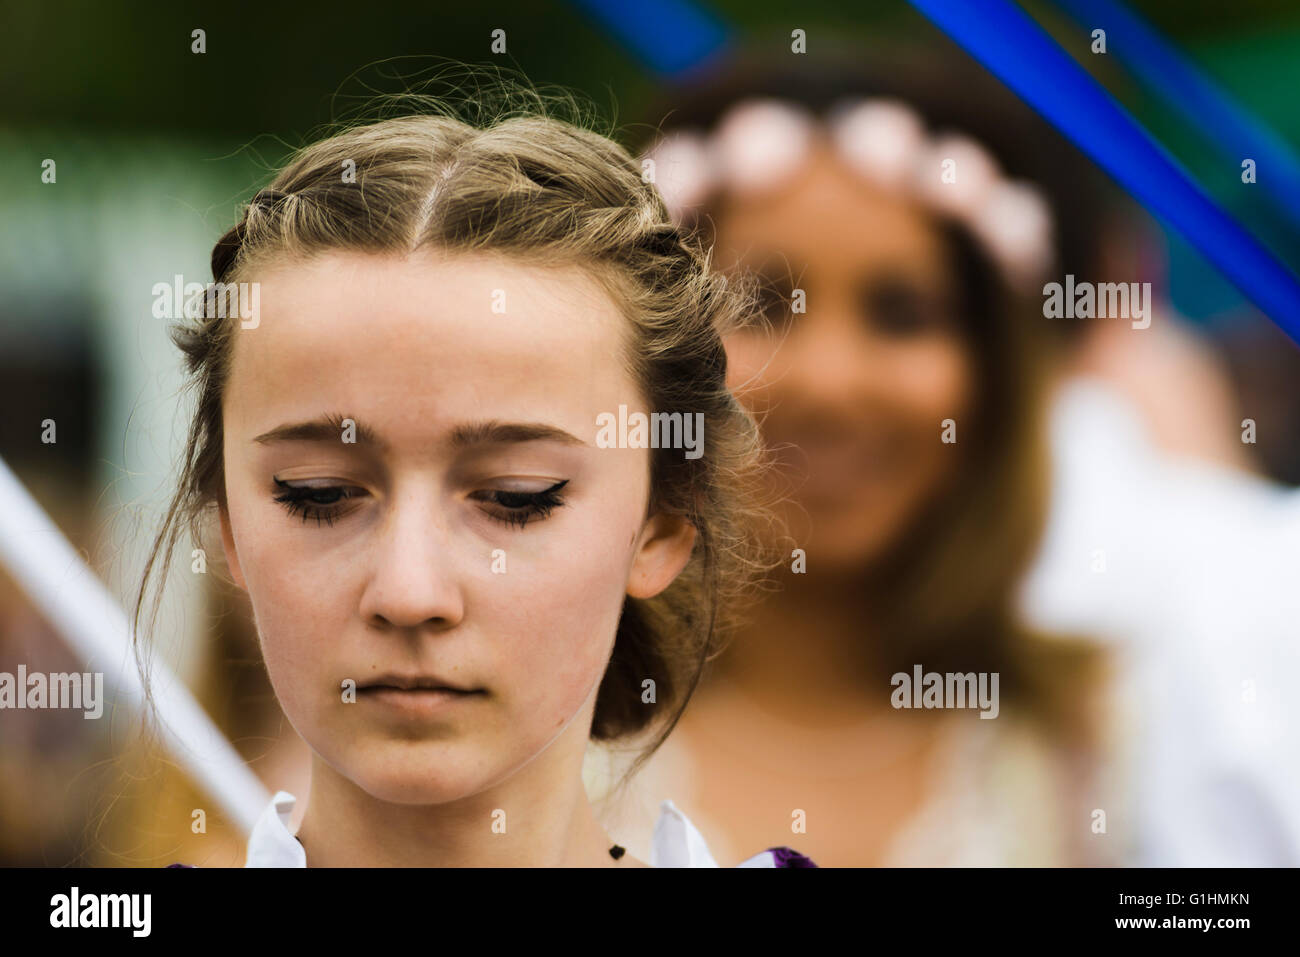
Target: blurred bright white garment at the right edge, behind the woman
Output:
[(1191, 575)]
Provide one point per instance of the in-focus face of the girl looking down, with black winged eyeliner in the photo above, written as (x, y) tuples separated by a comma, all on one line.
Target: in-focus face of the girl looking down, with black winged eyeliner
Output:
[(467, 532)]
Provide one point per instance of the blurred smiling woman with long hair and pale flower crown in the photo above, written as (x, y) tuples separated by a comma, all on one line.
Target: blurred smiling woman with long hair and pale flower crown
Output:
[(899, 378)]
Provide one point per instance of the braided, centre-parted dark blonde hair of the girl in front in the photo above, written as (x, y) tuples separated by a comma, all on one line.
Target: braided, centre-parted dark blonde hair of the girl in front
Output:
[(528, 184)]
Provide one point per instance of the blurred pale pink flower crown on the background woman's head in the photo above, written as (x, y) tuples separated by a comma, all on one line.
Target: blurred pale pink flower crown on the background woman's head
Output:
[(760, 144)]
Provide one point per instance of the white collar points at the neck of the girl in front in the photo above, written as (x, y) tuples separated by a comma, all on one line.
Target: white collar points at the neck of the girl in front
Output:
[(677, 842)]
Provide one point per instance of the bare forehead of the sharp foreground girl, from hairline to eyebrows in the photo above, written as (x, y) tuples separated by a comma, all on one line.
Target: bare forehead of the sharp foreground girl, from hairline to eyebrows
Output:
[(424, 337)]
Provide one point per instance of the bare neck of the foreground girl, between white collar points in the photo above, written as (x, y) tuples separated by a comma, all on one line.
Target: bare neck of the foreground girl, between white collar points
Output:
[(527, 822)]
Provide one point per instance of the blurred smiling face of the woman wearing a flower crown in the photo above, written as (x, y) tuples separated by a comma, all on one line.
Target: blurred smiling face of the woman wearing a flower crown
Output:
[(856, 391)]
